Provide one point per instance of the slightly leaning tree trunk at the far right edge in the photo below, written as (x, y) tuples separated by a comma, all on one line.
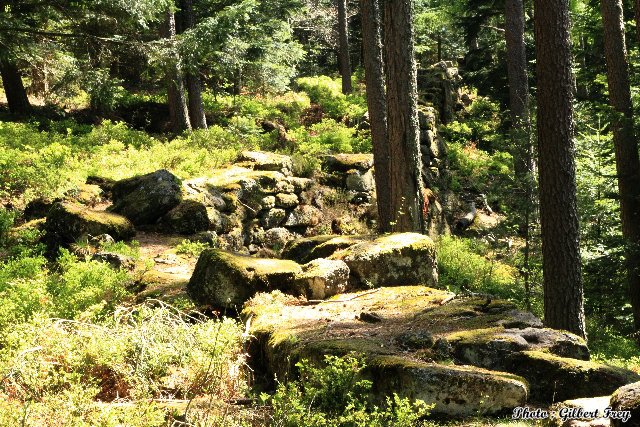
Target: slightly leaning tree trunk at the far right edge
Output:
[(624, 140)]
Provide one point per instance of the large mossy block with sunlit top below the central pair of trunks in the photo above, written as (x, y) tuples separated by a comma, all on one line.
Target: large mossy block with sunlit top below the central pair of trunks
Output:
[(392, 260)]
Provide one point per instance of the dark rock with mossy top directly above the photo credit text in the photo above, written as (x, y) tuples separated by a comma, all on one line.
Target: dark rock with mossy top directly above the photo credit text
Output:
[(555, 378)]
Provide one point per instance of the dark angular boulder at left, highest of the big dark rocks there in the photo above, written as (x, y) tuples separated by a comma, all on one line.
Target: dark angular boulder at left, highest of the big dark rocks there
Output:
[(144, 199)]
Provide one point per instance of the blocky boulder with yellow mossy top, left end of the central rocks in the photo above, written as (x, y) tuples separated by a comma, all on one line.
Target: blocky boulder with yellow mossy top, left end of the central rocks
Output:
[(225, 279)]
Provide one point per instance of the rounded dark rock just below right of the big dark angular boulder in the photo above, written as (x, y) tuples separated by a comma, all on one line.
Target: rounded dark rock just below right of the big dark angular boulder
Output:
[(189, 217)]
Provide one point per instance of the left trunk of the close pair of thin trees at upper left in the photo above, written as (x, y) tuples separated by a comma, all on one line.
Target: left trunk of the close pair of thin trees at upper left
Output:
[(177, 99)]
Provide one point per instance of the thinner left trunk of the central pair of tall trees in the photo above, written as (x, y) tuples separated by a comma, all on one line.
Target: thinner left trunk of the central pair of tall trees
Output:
[(377, 103)]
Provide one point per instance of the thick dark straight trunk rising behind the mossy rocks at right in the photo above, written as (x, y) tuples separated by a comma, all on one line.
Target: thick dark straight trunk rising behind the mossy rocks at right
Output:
[(563, 292)]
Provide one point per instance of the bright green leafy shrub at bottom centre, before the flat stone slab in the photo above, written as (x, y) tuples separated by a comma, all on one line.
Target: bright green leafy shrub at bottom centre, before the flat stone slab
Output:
[(336, 395)]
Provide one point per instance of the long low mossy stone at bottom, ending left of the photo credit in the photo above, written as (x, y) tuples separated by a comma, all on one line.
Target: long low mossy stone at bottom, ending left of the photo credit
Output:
[(456, 390)]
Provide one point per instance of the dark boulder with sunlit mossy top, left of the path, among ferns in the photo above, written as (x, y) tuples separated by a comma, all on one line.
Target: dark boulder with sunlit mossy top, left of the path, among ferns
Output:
[(67, 223)]
